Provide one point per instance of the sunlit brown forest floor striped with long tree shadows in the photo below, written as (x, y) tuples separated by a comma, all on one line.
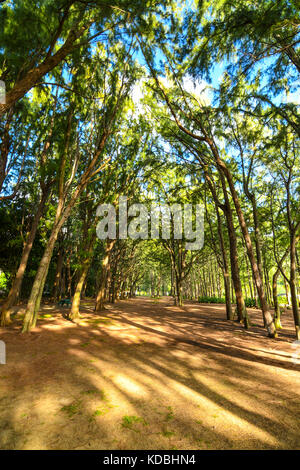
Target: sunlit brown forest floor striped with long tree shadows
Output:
[(144, 374)]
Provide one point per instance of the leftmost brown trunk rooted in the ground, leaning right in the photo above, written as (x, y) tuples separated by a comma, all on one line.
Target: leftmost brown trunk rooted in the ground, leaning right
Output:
[(17, 283)]
